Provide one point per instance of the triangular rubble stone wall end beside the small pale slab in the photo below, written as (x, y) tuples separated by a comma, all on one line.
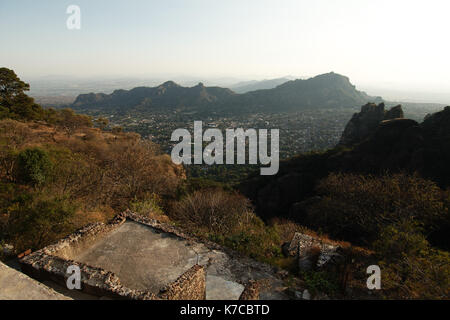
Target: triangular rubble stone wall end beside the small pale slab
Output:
[(191, 285)]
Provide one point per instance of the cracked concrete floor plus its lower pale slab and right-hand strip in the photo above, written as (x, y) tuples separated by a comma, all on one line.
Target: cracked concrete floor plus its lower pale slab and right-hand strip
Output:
[(146, 259)]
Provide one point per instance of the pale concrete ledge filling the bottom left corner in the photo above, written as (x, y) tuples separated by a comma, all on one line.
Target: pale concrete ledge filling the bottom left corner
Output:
[(15, 285)]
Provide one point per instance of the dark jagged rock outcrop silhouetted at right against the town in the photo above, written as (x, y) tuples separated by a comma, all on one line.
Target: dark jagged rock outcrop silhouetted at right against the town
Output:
[(363, 124)]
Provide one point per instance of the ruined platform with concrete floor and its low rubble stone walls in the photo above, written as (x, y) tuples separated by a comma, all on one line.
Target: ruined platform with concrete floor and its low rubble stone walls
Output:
[(146, 256)]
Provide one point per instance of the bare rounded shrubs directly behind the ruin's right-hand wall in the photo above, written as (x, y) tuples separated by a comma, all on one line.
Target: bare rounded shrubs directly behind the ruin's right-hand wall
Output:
[(226, 218)]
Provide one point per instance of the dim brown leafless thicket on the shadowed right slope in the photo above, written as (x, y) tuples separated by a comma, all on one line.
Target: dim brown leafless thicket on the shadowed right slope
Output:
[(357, 207)]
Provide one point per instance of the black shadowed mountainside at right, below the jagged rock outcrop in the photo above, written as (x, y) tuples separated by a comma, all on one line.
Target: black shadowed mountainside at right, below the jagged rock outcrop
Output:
[(395, 145)]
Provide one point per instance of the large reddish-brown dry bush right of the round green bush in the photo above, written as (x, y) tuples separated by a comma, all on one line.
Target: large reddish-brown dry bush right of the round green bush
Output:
[(116, 169)]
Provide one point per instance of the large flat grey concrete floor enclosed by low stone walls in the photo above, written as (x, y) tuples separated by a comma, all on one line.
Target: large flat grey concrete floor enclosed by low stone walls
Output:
[(141, 257)]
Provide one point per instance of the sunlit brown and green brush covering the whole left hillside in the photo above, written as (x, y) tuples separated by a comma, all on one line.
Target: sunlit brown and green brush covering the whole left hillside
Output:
[(52, 183)]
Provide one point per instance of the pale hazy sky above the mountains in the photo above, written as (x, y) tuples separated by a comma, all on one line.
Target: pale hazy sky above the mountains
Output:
[(397, 44)]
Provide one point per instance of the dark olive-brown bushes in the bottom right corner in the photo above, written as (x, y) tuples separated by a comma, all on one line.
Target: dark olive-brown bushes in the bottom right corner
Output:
[(411, 268)]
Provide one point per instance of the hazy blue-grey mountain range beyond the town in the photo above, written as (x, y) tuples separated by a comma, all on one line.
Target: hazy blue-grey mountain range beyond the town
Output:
[(329, 90)]
